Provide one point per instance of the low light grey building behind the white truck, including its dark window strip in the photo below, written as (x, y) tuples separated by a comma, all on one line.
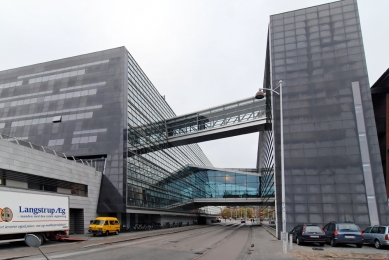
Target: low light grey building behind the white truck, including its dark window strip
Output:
[(28, 168)]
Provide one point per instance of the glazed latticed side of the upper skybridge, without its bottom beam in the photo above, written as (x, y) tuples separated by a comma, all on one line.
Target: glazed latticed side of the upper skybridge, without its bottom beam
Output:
[(155, 135)]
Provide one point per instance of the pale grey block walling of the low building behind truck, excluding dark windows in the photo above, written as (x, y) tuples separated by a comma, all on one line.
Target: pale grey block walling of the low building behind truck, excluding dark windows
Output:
[(26, 160)]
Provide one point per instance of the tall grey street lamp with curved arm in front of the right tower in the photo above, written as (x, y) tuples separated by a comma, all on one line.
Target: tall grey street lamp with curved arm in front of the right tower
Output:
[(260, 94)]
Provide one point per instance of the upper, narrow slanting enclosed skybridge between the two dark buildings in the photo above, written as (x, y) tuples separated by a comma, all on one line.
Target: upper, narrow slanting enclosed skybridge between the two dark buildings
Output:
[(237, 118)]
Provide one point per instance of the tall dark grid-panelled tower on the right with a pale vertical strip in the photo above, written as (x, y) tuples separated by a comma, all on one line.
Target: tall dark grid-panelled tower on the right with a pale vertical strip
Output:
[(332, 161)]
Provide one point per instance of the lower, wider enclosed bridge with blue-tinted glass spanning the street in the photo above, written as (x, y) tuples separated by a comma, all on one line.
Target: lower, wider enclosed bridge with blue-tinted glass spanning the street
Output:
[(201, 186)]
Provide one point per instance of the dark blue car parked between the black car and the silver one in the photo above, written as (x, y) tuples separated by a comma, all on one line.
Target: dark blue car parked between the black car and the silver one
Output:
[(343, 233)]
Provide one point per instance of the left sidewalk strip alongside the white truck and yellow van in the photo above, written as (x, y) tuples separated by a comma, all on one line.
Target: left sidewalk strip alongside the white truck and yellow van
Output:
[(91, 242)]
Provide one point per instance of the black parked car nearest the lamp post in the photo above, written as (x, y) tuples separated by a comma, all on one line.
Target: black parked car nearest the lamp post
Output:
[(308, 233)]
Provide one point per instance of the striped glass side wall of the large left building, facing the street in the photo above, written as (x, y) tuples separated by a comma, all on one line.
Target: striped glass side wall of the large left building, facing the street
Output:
[(153, 168)]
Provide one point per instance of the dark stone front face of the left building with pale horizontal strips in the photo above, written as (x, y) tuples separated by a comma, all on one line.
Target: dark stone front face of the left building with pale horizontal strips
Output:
[(105, 101)]
